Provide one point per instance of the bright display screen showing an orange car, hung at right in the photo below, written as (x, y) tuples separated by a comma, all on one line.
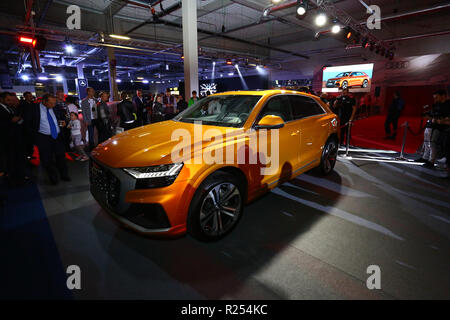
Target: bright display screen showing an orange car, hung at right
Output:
[(357, 78)]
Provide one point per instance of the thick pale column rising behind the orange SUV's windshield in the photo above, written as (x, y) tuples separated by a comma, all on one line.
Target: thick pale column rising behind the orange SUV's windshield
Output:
[(190, 47)]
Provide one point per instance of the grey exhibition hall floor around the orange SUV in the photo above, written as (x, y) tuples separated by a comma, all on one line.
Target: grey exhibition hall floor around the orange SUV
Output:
[(311, 238)]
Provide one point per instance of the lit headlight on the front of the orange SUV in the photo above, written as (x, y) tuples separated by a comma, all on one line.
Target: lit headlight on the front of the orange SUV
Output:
[(155, 176)]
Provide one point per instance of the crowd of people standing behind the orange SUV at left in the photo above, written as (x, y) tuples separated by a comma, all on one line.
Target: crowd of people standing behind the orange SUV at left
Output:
[(58, 124)]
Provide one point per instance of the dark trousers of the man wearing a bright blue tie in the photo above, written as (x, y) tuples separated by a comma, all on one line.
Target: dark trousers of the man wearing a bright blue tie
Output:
[(52, 155)]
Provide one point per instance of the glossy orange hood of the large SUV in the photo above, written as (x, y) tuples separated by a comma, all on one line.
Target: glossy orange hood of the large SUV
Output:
[(152, 144)]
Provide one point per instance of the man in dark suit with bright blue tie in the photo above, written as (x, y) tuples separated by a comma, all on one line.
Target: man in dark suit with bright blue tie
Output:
[(46, 126)]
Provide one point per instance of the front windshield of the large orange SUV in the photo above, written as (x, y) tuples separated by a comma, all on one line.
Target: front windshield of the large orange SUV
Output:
[(226, 110)]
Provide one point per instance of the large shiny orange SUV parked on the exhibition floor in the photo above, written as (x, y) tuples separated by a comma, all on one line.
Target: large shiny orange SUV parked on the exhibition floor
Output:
[(196, 172)]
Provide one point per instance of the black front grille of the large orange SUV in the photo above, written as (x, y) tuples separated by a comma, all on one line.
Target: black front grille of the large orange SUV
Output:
[(104, 184)]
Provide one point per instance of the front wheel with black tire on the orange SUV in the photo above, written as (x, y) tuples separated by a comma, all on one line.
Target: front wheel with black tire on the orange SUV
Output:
[(209, 217)]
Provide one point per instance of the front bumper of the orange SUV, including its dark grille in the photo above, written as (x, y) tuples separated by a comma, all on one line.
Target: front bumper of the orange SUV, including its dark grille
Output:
[(143, 210)]
